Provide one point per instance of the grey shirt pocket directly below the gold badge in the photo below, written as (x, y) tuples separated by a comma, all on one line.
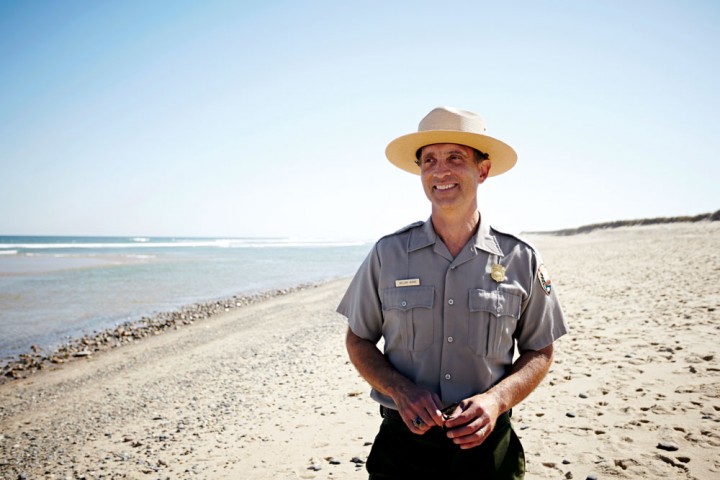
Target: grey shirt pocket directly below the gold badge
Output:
[(492, 321)]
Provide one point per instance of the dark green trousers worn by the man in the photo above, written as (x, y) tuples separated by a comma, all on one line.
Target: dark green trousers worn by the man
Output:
[(397, 453)]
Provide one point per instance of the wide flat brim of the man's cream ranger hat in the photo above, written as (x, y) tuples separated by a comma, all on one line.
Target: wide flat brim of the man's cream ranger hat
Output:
[(401, 151)]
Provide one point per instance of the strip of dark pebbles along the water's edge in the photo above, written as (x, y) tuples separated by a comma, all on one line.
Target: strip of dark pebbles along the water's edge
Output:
[(36, 358)]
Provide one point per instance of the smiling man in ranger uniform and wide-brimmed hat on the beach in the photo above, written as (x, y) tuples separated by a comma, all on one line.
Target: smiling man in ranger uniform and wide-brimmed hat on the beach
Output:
[(452, 298)]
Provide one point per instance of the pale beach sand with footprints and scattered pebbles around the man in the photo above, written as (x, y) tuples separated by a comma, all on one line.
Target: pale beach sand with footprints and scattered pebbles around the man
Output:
[(267, 392)]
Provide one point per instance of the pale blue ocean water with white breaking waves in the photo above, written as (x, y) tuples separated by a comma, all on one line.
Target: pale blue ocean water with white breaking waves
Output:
[(54, 289)]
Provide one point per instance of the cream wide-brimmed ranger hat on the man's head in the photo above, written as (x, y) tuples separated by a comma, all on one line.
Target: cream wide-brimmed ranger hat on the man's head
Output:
[(450, 125)]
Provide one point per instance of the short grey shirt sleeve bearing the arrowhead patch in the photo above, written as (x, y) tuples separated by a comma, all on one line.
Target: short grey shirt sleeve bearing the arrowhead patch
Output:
[(542, 320)]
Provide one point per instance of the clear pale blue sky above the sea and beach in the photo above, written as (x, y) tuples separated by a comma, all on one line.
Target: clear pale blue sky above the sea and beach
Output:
[(271, 118)]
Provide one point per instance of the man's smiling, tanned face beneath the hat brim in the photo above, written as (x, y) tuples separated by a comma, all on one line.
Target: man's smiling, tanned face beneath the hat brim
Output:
[(450, 175)]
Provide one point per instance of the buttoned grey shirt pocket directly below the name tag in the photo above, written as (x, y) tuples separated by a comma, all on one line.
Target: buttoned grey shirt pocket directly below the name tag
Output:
[(408, 313)]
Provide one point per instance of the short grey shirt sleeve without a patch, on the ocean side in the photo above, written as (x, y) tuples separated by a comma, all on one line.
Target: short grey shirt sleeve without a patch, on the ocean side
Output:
[(361, 303)]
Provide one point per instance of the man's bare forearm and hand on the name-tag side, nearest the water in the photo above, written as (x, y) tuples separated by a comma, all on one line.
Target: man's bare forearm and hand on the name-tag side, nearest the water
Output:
[(411, 400)]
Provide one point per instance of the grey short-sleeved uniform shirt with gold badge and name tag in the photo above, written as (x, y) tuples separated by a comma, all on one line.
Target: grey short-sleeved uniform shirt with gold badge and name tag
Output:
[(447, 324)]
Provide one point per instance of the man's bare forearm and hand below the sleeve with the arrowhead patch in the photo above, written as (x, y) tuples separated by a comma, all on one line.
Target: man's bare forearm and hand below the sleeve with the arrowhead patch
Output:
[(475, 417)]
